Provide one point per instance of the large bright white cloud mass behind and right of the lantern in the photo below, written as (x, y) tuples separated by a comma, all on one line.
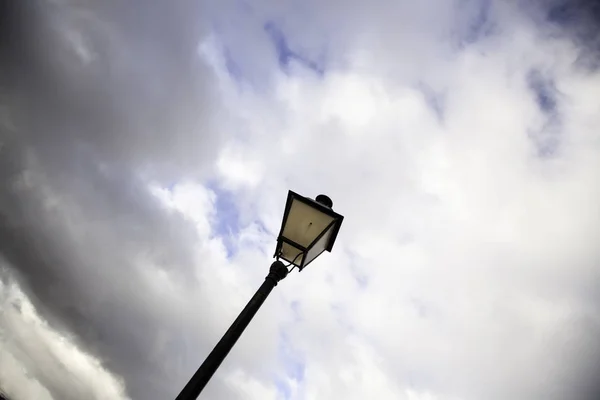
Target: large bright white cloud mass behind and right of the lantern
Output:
[(473, 247)]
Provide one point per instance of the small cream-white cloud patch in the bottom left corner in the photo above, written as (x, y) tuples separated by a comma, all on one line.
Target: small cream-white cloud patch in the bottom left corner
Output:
[(36, 358)]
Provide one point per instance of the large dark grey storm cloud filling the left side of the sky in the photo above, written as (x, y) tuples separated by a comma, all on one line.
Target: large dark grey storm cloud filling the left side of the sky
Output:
[(96, 99)]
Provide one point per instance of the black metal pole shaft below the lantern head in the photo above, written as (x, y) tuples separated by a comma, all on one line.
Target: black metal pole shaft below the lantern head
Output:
[(193, 388)]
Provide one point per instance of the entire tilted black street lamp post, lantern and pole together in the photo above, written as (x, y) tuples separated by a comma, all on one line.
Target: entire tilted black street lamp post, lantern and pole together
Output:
[(308, 229)]
